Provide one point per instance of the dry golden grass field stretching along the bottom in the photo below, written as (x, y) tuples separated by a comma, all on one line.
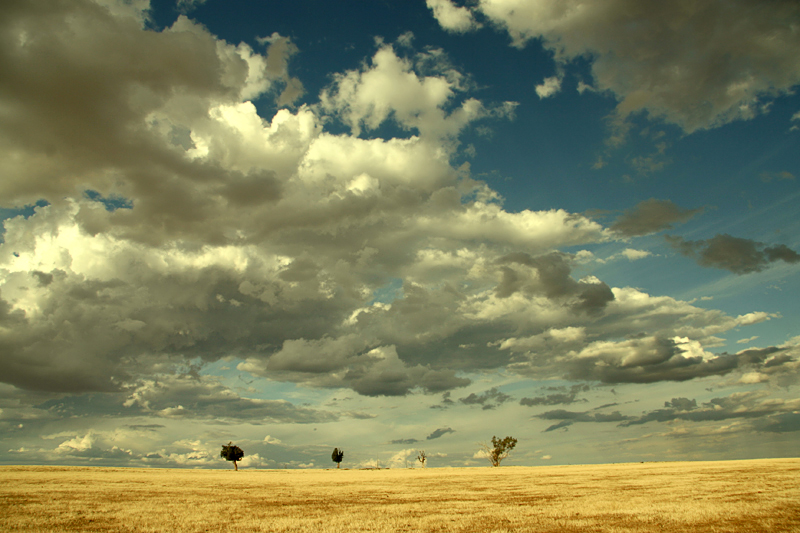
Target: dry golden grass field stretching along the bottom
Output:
[(735, 496)]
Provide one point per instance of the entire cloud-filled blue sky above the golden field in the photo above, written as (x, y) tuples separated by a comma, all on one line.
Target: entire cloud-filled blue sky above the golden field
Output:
[(391, 226)]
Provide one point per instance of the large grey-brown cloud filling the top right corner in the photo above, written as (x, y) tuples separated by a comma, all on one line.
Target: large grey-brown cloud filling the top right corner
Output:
[(738, 59)]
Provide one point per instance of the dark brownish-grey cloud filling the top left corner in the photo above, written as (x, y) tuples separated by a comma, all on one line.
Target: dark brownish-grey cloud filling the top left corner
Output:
[(91, 115)]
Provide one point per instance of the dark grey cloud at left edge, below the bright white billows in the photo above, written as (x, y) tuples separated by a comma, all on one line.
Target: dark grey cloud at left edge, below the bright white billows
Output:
[(141, 320)]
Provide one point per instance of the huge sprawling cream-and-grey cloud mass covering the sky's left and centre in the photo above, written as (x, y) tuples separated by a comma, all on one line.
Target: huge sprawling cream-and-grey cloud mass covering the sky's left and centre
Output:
[(185, 228)]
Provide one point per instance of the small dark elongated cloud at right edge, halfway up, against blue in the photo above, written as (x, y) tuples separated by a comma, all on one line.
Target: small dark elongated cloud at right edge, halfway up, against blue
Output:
[(740, 256)]
